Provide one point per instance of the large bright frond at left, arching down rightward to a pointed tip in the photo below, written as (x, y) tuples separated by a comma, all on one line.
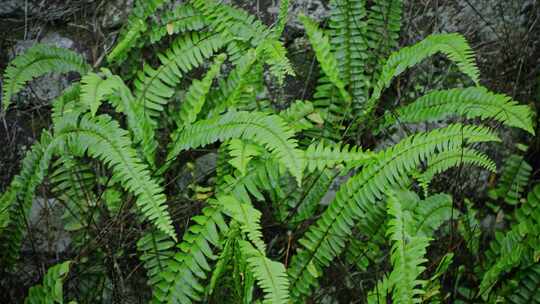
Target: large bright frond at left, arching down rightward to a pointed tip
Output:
[(103, 138)]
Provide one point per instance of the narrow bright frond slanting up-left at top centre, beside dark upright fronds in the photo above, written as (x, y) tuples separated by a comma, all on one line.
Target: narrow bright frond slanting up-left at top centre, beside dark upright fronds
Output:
[(321, 45)]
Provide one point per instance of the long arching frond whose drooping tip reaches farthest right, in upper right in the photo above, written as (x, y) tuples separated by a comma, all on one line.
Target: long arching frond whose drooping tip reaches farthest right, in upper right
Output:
[(469, 102)]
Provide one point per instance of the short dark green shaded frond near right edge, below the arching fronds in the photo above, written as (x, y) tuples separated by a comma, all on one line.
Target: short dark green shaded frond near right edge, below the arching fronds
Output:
[(515, 177)]
